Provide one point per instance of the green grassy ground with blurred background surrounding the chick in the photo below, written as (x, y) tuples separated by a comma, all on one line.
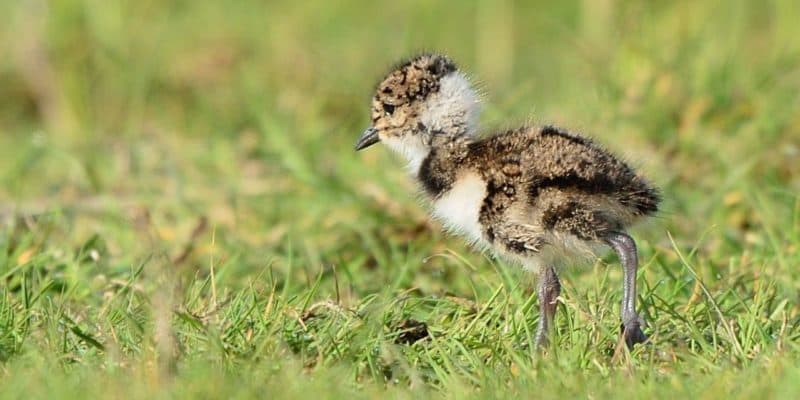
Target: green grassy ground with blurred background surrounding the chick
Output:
[(183, 215)]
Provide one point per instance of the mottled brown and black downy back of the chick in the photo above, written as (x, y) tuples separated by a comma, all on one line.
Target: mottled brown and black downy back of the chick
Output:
[(559, 181)]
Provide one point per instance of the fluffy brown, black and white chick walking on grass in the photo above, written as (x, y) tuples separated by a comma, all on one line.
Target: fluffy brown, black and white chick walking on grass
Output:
[(538, 196)]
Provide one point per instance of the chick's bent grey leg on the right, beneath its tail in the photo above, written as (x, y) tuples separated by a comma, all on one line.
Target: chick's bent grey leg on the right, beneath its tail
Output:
[(632, 323)]
